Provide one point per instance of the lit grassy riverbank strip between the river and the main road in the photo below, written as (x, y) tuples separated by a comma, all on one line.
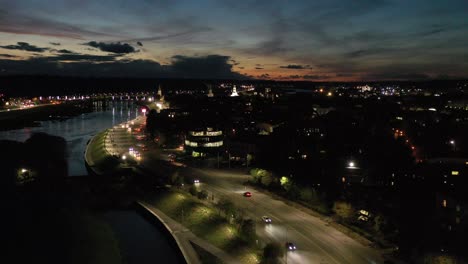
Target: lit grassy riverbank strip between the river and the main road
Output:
[(211, 234)]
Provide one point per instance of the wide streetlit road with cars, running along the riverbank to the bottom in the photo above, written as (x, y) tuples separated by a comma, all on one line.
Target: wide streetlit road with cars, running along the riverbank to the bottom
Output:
[(316, 241)]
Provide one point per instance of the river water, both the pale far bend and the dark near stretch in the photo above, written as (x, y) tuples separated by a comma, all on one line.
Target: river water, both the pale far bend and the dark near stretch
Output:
[(140, 241)]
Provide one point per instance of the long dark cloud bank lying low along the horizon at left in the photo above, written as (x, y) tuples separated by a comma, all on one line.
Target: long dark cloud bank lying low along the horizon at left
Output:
[(212, 66)]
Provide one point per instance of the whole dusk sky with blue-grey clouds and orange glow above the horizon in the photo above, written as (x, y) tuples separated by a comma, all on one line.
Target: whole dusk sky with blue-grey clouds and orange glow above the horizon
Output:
[(316, 40)]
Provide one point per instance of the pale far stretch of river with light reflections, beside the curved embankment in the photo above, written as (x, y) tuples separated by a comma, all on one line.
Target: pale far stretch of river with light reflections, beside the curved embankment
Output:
[(78, 130)]
